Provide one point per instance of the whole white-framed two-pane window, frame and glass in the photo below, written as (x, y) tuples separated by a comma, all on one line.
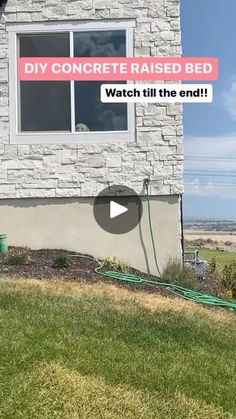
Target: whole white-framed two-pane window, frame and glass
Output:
[(67, 111)]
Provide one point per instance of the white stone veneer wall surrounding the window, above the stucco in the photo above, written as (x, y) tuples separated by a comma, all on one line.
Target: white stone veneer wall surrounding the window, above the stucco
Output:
[(80, 169)]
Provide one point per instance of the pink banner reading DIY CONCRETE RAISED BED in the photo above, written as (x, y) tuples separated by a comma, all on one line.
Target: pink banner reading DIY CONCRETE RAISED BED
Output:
[(119, 68)]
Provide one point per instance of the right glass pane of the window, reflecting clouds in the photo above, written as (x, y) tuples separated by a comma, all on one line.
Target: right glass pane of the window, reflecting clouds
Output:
[(90, 113)]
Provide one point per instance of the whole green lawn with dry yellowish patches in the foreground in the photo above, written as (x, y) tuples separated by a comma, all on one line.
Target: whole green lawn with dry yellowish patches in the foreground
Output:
[(73, 351)]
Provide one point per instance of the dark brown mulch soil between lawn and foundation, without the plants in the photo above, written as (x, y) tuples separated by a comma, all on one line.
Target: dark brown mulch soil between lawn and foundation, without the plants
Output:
[(40, 264)]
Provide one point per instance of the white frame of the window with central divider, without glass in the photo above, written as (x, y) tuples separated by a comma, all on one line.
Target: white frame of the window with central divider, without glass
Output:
[(62, 137)]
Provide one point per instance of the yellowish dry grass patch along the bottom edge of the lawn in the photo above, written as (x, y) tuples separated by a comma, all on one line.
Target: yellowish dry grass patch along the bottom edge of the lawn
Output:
[(53, 391)]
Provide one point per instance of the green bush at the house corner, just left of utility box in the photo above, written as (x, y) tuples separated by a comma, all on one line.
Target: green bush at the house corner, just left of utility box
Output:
[(174, 273)]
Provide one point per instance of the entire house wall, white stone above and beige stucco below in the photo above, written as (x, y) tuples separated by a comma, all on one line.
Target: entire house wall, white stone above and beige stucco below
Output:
[(69, 176)]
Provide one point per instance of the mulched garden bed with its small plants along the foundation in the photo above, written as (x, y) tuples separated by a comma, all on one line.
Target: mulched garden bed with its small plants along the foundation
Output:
[(58, 264)]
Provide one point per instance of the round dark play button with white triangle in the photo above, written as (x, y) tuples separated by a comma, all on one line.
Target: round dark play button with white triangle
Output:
[(118, 209)]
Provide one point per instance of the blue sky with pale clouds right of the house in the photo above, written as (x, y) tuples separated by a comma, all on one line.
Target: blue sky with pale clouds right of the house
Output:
[(209, 29)]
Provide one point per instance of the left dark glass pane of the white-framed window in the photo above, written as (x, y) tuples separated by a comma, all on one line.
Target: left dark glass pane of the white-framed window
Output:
[(45, 105)]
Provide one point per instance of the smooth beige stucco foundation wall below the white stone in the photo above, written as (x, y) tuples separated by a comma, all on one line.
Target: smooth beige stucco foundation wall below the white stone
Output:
[(69, 224)]
